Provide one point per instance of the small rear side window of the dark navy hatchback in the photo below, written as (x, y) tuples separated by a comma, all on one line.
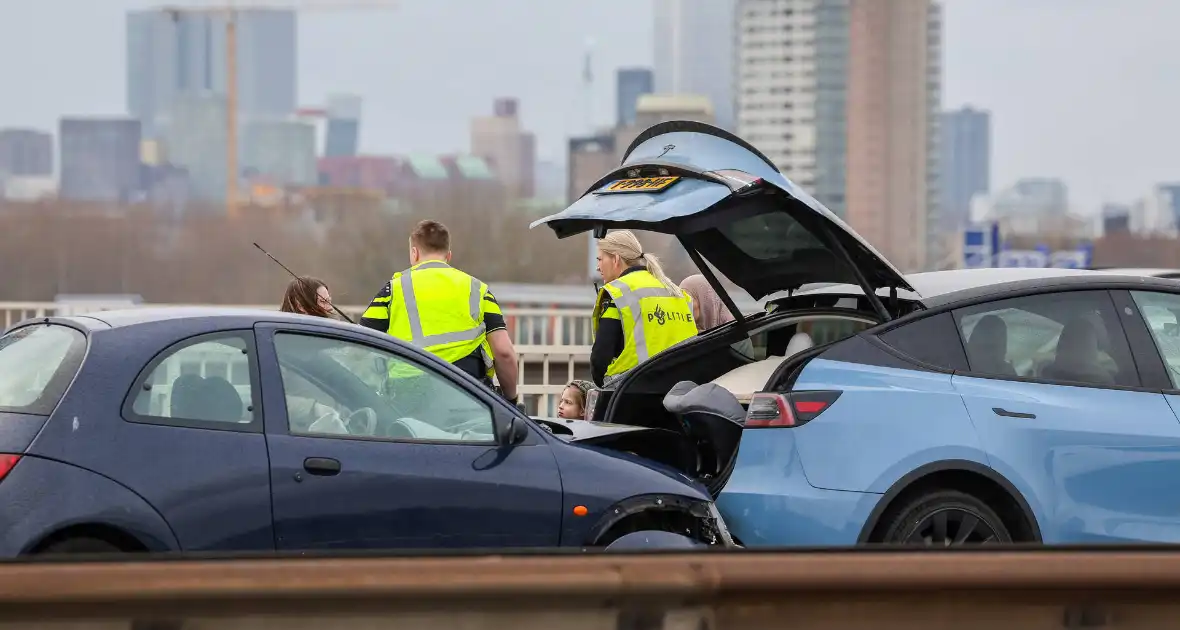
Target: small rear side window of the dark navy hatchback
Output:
[(194, 383)]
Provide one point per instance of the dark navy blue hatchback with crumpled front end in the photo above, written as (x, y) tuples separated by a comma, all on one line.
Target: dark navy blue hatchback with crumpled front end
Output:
[(220, 430)]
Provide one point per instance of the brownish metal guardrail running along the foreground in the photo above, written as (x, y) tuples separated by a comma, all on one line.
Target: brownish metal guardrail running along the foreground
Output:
[(1013, 590)]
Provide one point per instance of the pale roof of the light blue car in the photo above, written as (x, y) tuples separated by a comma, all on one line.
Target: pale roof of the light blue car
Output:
[(939, 288)]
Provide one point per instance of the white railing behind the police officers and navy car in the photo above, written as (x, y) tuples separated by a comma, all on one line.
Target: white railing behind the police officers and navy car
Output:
[(553, 344)]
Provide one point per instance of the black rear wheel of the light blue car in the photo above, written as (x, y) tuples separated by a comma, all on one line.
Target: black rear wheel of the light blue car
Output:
[(917, 519)]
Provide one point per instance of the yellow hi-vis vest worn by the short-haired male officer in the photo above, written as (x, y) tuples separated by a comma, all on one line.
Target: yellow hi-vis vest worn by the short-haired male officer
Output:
[(440, 310)]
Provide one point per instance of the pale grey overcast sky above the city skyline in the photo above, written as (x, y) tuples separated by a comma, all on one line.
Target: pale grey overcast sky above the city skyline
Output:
[(1085, 90)]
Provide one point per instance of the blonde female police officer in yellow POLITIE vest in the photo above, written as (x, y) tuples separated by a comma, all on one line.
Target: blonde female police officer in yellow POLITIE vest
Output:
[(640, 312)]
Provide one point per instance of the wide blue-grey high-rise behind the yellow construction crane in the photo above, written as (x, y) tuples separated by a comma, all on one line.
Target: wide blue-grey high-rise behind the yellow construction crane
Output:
[(174, 54)]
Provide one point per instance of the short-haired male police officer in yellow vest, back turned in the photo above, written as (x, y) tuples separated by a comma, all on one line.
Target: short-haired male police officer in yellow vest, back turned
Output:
[(447, 313)]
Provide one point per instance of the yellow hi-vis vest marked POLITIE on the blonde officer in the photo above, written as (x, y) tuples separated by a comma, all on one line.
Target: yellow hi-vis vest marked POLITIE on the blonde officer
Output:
[(654, 318)]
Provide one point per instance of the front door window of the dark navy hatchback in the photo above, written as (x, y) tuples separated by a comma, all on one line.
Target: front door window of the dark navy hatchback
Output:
[(343, 389)]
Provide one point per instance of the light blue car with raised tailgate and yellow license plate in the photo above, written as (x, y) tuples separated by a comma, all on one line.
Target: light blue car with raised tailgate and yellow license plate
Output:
[(868, 406)]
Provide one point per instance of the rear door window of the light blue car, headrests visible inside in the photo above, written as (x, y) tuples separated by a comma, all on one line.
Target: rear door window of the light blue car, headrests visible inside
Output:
[(1070, 337)]
